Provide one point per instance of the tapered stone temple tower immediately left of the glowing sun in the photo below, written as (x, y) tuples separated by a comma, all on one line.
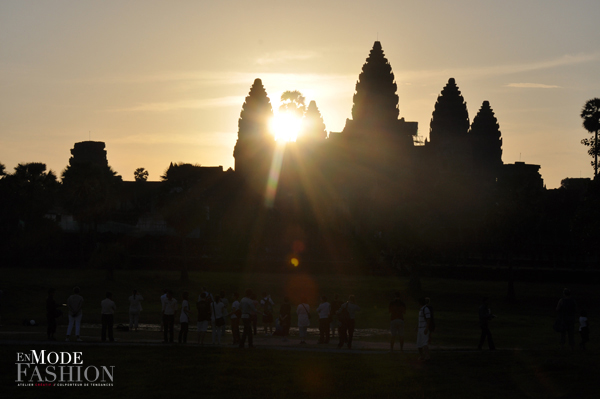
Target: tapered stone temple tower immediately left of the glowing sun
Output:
[(256, 113)]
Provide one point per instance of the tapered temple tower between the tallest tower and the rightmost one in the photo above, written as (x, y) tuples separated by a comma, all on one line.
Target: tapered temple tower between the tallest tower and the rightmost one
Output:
[(450, 117)]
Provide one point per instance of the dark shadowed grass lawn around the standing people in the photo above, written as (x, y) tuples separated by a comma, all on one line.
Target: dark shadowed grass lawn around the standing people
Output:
[(528, 363)]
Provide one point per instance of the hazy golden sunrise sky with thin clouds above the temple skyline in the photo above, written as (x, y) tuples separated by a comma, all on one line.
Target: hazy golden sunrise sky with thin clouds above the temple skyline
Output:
[(164, 81)]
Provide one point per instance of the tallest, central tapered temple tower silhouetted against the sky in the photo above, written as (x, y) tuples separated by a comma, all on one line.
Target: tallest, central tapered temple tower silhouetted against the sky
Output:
[(375, 100)]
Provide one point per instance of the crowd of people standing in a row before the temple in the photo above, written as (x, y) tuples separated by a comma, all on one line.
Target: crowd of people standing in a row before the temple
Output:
[(215, 310)]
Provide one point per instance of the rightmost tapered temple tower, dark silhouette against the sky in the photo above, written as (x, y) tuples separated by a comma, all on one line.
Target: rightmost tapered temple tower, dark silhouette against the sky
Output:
[(485, 131)]
